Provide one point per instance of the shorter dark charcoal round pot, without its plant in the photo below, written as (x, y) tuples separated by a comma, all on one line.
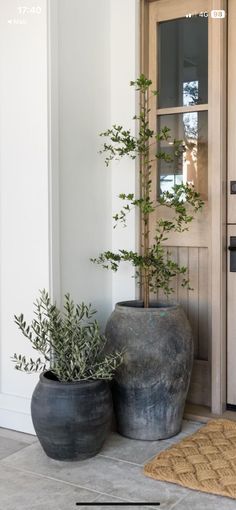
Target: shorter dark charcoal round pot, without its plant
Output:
[(71, 420)]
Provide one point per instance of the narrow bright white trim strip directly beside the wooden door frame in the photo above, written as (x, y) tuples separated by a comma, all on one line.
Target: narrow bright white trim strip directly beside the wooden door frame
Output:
[(124, 68)]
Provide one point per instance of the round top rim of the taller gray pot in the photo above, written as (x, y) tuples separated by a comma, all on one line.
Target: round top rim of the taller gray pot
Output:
[(137, 304)]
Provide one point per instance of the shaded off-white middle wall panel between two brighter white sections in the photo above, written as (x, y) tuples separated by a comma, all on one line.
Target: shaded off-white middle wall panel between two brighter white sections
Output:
[(84, 111)]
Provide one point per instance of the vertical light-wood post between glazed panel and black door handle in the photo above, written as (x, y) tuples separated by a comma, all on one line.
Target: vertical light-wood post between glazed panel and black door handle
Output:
[(218, 194)]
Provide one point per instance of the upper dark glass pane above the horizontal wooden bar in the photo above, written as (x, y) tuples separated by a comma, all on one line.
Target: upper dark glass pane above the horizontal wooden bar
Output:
[(183, 62)]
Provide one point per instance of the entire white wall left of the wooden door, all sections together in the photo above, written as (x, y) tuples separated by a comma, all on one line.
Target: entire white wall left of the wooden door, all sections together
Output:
[(57, 196)]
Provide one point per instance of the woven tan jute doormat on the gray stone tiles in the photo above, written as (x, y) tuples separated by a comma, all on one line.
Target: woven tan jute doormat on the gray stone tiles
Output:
[(204, 461)]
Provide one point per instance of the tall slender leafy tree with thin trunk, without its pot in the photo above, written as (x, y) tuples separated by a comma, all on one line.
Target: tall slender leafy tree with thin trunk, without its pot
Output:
[(152, 268)]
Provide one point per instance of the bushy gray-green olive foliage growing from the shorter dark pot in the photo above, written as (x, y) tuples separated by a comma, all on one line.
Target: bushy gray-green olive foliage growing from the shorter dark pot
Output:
[(70, 342)]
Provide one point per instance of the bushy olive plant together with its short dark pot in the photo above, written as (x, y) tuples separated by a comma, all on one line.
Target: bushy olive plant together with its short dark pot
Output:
[(71, 405)]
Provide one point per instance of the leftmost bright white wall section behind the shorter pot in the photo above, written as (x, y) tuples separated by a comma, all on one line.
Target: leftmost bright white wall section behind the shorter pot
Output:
[(24, 227)]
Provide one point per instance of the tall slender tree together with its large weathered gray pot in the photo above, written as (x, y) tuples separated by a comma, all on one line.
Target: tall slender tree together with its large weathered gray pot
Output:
[(150, 387)]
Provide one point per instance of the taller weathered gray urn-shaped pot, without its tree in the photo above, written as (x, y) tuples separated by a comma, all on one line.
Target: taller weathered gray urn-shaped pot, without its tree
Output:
[(150, 388)]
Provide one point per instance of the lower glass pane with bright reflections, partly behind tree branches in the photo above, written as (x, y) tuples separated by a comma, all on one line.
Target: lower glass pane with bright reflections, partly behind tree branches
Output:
[(191, 166)]
